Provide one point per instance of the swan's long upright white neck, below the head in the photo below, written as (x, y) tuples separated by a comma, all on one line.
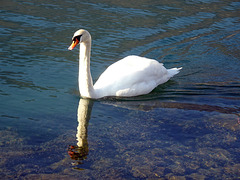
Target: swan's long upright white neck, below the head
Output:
[(85, 78)]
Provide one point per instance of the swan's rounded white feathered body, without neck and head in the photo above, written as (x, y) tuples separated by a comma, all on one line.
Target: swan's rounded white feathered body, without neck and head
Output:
[(131, 76)]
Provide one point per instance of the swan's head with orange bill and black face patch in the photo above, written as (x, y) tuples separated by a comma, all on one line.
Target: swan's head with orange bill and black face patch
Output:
[(80, 36)]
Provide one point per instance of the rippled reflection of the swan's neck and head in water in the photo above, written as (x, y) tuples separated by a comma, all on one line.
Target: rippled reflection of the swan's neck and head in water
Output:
[(80, 151)]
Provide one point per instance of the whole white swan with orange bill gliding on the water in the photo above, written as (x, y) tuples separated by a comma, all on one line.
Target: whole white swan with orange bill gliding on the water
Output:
[(130, 76)]
